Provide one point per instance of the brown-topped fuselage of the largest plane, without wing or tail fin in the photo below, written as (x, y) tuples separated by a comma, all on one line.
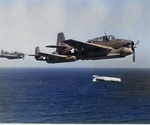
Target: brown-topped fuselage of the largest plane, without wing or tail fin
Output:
[(119, 48)]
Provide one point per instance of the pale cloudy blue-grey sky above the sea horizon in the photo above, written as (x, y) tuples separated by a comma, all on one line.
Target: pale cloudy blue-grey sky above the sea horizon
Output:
[(25, 24)]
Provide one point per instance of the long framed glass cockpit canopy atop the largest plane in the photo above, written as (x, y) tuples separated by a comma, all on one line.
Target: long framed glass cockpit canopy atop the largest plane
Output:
[(101, 39)]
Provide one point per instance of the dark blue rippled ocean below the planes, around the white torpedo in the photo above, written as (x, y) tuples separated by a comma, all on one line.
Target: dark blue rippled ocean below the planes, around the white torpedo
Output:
[(59, 95)]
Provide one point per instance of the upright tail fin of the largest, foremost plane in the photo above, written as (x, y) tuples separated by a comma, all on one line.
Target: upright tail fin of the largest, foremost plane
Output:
[(60, 38)]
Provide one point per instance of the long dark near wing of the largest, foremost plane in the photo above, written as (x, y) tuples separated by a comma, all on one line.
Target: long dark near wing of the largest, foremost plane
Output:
[(86, 46)]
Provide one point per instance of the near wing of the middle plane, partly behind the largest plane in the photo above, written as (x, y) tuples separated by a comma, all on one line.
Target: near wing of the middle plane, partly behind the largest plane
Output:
[(52, 55)]
